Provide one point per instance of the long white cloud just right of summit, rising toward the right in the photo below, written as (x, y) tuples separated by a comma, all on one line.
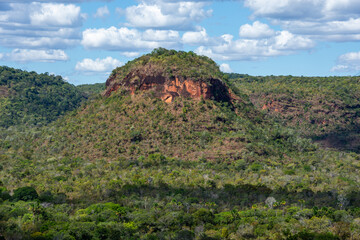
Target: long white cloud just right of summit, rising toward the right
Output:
[(282, 43)]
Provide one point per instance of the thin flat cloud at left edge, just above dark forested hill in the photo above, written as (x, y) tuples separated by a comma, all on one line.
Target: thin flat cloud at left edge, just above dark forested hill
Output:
[(28, 55)]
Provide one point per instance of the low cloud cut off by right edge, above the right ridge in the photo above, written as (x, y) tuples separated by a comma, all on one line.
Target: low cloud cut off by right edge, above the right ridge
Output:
[(349, 62)]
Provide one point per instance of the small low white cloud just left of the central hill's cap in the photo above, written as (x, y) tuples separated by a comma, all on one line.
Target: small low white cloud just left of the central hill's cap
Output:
[(98, 65)]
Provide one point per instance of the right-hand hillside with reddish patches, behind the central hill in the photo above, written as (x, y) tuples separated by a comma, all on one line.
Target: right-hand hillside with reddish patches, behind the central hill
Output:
[(326, 109)]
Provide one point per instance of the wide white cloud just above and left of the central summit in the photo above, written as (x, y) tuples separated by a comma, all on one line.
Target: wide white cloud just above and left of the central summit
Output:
[(125, 39)]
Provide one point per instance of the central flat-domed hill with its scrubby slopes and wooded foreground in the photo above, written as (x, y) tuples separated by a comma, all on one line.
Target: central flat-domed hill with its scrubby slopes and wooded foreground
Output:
[(131, 165)]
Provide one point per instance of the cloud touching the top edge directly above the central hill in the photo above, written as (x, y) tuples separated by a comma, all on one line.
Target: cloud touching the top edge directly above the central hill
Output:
[(165, 15)]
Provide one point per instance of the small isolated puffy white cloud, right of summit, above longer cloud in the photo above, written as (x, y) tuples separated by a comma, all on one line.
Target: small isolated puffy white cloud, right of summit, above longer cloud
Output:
[(256, 30)]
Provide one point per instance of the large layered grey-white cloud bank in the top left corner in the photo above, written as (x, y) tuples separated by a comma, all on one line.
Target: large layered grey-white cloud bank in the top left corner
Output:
[(40, 25)]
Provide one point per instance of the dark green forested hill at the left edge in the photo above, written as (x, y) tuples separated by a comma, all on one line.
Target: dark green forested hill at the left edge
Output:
[(31, 98)]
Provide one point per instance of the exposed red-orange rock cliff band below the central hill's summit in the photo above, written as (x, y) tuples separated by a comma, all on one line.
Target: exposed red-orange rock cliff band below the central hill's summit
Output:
[(168, 88)]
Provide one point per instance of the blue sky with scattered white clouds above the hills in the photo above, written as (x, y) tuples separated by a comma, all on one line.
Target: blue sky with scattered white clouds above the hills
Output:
[(84, 40)]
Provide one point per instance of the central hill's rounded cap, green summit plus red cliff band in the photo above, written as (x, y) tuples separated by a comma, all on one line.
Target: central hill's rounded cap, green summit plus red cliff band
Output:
[(170, 74)]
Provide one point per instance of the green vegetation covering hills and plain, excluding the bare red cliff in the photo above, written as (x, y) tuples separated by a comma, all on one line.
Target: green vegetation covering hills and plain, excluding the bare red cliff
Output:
[(134, 167)]
